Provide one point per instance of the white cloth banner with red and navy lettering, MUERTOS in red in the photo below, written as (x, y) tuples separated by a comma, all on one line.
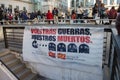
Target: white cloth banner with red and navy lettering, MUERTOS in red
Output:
[(70, 45)]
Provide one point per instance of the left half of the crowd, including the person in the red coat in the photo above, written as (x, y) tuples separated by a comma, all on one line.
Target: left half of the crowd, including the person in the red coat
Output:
[(7, 16)]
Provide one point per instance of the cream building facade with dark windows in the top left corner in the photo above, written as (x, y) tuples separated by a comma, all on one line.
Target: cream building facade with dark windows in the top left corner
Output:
[(17, 4)]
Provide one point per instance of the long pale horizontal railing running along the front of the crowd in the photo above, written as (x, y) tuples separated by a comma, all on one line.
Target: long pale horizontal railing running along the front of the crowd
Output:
[(57, 21)]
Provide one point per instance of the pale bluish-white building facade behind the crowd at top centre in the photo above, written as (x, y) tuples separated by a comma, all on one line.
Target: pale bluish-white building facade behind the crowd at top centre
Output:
[(45, 5)]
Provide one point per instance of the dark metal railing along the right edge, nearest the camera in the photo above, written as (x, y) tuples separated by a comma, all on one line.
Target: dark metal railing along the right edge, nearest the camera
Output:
[(114, 57)]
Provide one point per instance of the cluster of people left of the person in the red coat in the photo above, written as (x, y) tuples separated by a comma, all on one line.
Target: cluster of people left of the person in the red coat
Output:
[(18, 15)]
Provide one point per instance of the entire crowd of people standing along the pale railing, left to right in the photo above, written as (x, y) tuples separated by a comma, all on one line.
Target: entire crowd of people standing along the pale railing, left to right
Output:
[(55, 15)]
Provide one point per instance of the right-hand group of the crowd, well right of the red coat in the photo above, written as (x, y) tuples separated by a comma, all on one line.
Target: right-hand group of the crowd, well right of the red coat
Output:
[(96, 12)]
